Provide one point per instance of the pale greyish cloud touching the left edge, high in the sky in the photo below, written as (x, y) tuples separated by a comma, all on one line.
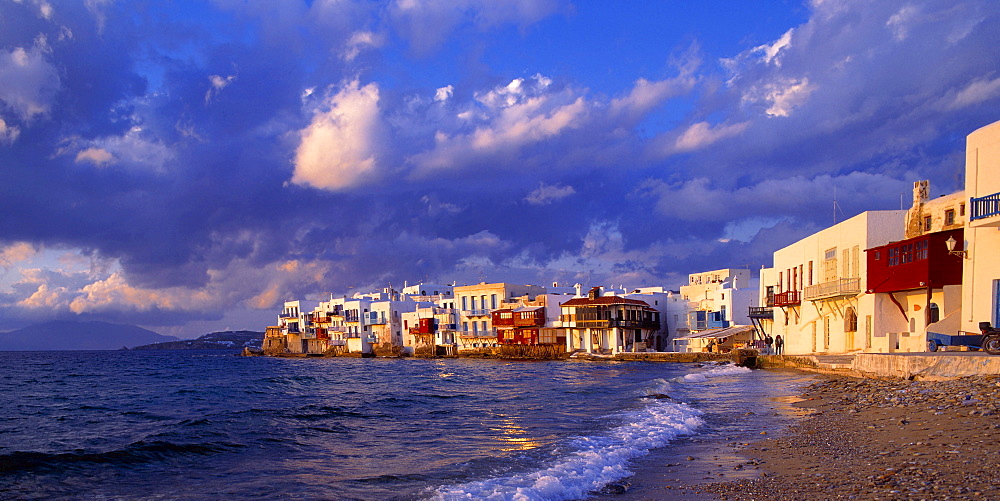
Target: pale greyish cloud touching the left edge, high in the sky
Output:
[(28, 82)]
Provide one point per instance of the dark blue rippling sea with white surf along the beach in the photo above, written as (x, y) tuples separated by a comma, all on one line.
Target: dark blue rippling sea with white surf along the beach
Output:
[(211, 424)]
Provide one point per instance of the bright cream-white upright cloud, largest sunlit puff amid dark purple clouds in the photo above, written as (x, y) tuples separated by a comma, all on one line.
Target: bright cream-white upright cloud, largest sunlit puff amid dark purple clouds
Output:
[(339, 149)]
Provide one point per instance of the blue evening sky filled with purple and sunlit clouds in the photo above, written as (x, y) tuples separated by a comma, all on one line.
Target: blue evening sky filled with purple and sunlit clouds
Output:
[(188, 166)]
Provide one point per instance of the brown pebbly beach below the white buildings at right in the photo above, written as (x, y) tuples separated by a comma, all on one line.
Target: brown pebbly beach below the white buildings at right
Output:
[(873, 439)]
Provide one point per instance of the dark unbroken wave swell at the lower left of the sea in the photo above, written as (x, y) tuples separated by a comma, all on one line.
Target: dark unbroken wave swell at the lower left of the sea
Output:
[(134, 454)]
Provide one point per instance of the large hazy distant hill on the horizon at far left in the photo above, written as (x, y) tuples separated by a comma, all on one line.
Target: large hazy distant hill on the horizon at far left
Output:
[(69, 335)]
